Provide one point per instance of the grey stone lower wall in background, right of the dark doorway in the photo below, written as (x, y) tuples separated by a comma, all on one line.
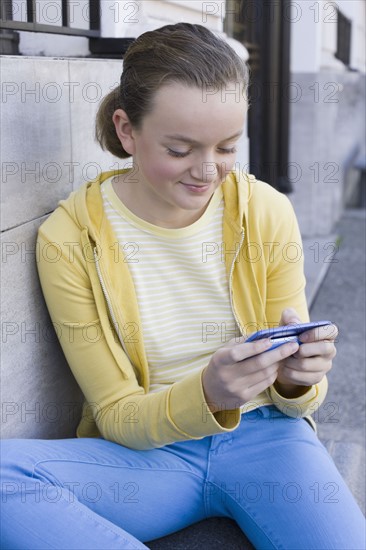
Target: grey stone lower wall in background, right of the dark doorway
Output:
[(327, 133)]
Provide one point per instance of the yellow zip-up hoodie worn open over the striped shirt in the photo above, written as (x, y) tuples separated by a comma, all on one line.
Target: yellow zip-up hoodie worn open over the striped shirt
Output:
[(92, 302)]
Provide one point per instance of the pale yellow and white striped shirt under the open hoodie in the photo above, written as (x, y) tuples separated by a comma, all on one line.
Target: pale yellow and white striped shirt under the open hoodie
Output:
[(181, 286)]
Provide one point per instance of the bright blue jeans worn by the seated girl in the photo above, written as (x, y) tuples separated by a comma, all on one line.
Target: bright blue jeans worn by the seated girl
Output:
[(271, 475)]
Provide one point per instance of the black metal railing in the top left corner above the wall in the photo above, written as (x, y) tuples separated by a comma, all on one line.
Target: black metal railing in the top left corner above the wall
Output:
[(33, 7)]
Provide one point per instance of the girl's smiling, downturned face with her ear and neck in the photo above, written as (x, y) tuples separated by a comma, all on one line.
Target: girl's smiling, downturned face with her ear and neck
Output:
[(181, 154)]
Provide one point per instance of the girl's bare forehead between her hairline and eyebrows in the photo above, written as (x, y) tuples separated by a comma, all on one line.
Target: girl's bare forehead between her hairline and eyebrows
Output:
[(202, 114)]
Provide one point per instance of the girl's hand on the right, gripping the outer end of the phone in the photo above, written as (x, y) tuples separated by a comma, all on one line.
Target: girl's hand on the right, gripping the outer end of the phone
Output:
[(312, 360)]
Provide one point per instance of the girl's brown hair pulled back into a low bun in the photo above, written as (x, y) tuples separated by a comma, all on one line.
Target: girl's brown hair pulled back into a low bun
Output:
[(183, 53)]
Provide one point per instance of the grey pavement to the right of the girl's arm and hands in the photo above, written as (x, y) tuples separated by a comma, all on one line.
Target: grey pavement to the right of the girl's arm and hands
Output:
[(342, 298)]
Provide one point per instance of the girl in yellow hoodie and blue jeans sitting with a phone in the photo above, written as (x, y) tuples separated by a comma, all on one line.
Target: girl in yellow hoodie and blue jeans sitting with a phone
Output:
[(171, 264)]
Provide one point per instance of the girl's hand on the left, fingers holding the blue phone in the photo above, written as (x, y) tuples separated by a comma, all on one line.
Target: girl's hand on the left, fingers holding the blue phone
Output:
[(239, 371)]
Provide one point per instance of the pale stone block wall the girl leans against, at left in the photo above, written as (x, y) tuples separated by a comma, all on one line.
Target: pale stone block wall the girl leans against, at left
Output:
[(48, 108)]
